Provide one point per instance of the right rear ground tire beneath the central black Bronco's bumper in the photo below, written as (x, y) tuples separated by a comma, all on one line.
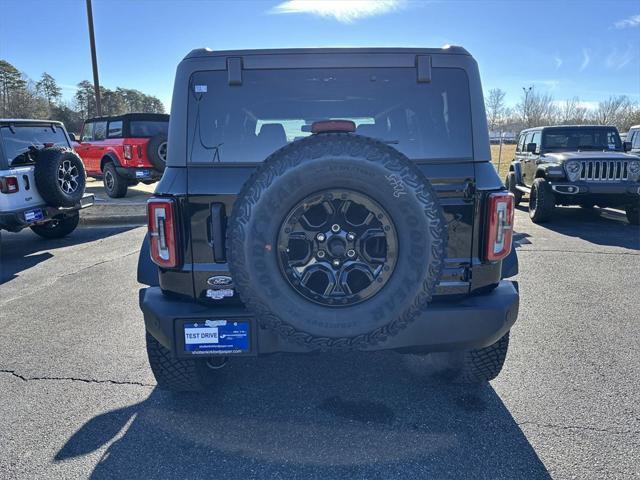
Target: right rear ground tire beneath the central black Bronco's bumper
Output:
[(471, 366)]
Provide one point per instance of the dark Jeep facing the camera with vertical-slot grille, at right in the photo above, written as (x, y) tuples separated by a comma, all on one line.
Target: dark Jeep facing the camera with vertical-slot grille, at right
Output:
[(575, 165)]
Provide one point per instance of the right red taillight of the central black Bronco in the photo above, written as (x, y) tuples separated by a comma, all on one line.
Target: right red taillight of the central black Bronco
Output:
[(499, 226)]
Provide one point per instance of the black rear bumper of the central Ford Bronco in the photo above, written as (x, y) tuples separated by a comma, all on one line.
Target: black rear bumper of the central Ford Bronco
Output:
[(474, 322)]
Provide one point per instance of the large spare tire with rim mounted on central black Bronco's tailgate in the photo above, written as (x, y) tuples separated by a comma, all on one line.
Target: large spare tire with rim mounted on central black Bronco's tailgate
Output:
[(336, 242)]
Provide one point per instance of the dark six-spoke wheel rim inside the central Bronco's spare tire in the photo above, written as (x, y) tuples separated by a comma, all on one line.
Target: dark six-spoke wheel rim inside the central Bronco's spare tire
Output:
[(337, 247)]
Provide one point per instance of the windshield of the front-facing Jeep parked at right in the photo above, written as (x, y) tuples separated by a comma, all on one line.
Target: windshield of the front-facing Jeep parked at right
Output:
[(569, 139)]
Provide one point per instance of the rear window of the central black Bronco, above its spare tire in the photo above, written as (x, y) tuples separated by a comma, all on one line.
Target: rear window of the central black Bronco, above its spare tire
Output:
[(271, 108)]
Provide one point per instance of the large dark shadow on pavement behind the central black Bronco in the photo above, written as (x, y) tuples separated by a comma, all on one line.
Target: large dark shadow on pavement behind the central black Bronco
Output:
[(360, 415)]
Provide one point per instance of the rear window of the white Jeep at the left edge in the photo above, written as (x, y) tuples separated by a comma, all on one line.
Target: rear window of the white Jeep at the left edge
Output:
[(18, 142)]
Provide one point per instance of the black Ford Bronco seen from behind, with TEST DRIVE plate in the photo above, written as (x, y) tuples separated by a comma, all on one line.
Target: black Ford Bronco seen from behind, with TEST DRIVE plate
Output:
[(328, 200)]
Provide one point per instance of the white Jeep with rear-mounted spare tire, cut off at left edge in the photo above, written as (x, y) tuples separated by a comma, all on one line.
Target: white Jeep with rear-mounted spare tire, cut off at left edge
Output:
[(42, 179)]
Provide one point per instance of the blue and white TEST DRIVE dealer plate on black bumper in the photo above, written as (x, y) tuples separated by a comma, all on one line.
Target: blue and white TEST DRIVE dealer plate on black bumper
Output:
[(216, 336)]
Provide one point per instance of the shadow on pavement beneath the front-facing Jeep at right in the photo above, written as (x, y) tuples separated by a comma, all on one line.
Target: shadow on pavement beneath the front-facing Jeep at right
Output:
[(598, 226)]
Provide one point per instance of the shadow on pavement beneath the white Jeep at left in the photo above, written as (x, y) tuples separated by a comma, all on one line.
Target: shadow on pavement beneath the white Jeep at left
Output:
[(21, 251)]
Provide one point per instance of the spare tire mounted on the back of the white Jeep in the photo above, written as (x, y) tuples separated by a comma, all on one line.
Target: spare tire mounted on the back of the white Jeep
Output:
[(60, 176)]
